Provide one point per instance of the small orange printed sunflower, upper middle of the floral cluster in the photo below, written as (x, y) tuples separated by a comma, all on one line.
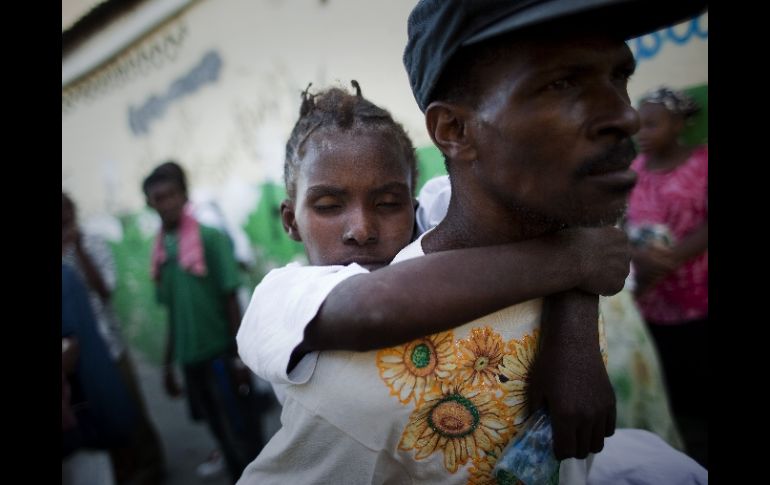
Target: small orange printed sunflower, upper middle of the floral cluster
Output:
[(480, 353)]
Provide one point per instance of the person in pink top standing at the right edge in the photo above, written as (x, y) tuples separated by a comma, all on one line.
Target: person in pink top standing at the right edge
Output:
[(667, 223)]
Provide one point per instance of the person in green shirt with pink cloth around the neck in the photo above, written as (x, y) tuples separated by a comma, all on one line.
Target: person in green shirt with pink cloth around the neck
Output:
[(196, 277)]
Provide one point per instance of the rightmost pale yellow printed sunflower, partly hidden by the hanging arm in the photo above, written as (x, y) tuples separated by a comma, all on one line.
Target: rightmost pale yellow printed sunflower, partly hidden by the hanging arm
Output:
[(514, 375)]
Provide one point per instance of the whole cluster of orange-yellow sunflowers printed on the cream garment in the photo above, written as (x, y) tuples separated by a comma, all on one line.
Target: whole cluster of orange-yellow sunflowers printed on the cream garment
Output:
[(469, 395)]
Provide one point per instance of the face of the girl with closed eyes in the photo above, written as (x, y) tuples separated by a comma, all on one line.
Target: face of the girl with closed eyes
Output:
[(353, 200)]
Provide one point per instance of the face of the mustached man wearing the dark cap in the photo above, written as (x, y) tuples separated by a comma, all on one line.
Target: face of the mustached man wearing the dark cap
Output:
[(553, 127)]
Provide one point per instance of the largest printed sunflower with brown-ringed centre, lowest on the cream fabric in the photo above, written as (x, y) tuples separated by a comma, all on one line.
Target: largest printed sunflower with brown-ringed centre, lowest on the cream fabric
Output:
[(460, 421)]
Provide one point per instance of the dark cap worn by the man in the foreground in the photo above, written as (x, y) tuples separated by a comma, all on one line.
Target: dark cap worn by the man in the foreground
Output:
[(437, 29)]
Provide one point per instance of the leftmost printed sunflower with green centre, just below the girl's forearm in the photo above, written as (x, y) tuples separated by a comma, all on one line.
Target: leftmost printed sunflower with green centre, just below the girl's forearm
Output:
[(411, 368)]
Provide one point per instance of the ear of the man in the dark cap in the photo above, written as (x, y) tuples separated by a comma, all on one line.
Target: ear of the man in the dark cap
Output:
[(448, 128)]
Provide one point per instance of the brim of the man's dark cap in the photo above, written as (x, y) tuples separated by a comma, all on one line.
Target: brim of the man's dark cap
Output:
[(626, 18)]
